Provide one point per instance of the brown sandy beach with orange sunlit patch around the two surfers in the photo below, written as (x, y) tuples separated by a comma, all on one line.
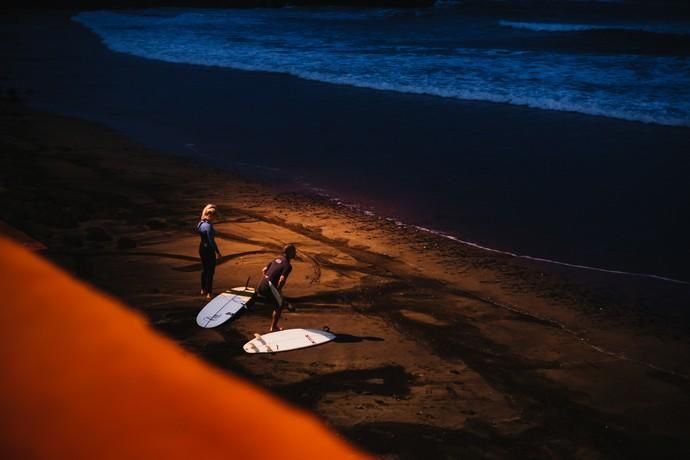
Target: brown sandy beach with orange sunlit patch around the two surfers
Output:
[(442, 350)]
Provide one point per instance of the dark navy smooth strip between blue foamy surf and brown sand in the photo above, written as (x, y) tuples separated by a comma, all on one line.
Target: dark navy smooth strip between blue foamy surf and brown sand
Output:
[(291, 124)]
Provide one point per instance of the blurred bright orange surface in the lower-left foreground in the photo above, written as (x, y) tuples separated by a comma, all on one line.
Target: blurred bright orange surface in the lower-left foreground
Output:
[(81, 377)]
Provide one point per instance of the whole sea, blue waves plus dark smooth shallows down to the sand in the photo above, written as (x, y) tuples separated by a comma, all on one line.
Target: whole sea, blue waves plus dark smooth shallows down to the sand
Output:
[(607, 204)]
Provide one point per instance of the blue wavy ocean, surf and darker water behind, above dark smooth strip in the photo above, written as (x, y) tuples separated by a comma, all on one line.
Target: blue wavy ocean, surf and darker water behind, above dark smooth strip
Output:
[(633, 70)]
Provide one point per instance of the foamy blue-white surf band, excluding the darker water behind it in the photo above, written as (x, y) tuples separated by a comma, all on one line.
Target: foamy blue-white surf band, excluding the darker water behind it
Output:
[(648, 89)]
